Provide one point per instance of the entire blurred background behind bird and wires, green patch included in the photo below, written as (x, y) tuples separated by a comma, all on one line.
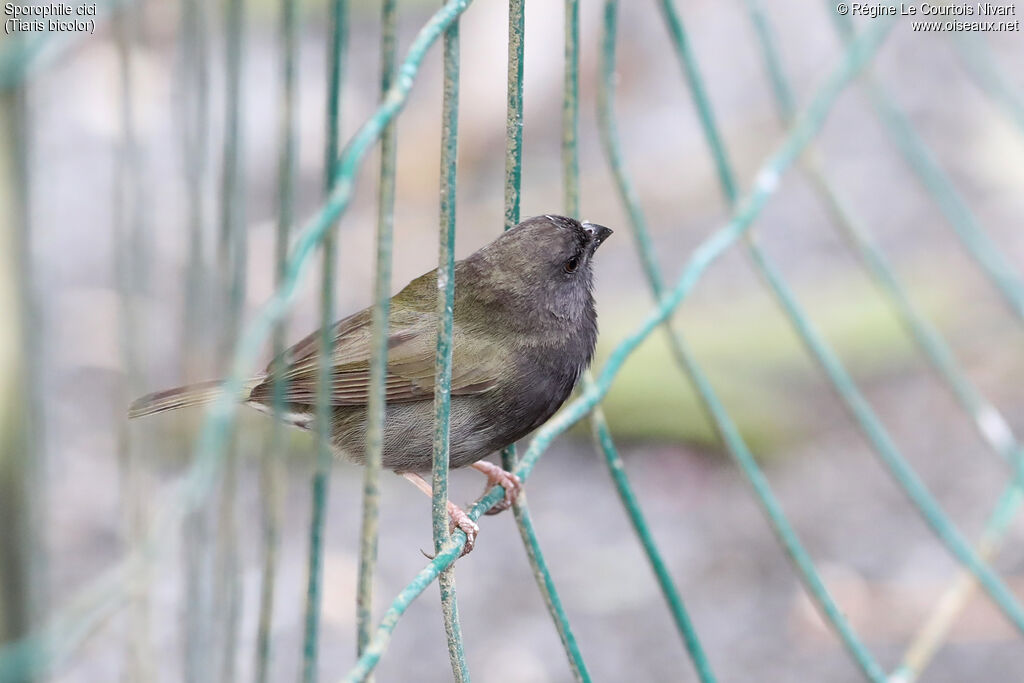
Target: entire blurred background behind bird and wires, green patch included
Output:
[(883, 565)]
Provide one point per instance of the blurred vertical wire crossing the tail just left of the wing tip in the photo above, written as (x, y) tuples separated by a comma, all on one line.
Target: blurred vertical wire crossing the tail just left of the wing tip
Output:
[(232, 258)]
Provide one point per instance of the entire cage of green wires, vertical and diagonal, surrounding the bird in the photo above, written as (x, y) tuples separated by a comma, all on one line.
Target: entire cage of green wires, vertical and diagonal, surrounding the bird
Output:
[(37, 647)]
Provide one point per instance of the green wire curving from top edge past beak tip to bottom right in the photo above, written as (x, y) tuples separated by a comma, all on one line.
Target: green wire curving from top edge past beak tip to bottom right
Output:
[(723, 423)]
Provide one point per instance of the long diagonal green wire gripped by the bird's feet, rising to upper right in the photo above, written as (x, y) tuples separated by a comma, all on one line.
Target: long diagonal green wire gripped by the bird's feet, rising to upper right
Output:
[(803, 132)]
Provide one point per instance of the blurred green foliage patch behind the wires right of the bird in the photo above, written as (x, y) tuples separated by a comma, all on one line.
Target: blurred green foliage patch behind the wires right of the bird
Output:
[(757, 363)]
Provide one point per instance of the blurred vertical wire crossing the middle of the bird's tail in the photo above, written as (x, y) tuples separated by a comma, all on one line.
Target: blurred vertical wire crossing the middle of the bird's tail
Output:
[(196, 140)]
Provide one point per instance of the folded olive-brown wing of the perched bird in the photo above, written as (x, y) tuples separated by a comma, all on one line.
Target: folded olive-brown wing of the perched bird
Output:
[(412, 347)]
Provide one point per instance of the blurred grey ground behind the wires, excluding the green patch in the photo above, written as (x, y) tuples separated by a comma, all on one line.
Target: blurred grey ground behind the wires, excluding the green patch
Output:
[(883, 565)]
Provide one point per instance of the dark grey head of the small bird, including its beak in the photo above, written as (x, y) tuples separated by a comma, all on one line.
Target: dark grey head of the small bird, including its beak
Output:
[(545, 266)]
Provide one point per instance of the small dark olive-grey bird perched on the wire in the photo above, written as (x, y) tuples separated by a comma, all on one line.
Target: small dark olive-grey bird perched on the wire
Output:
[(524, 331)]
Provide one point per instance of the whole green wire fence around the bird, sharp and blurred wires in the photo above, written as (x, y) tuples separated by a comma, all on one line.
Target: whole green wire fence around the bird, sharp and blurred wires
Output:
[(215, 466)]
